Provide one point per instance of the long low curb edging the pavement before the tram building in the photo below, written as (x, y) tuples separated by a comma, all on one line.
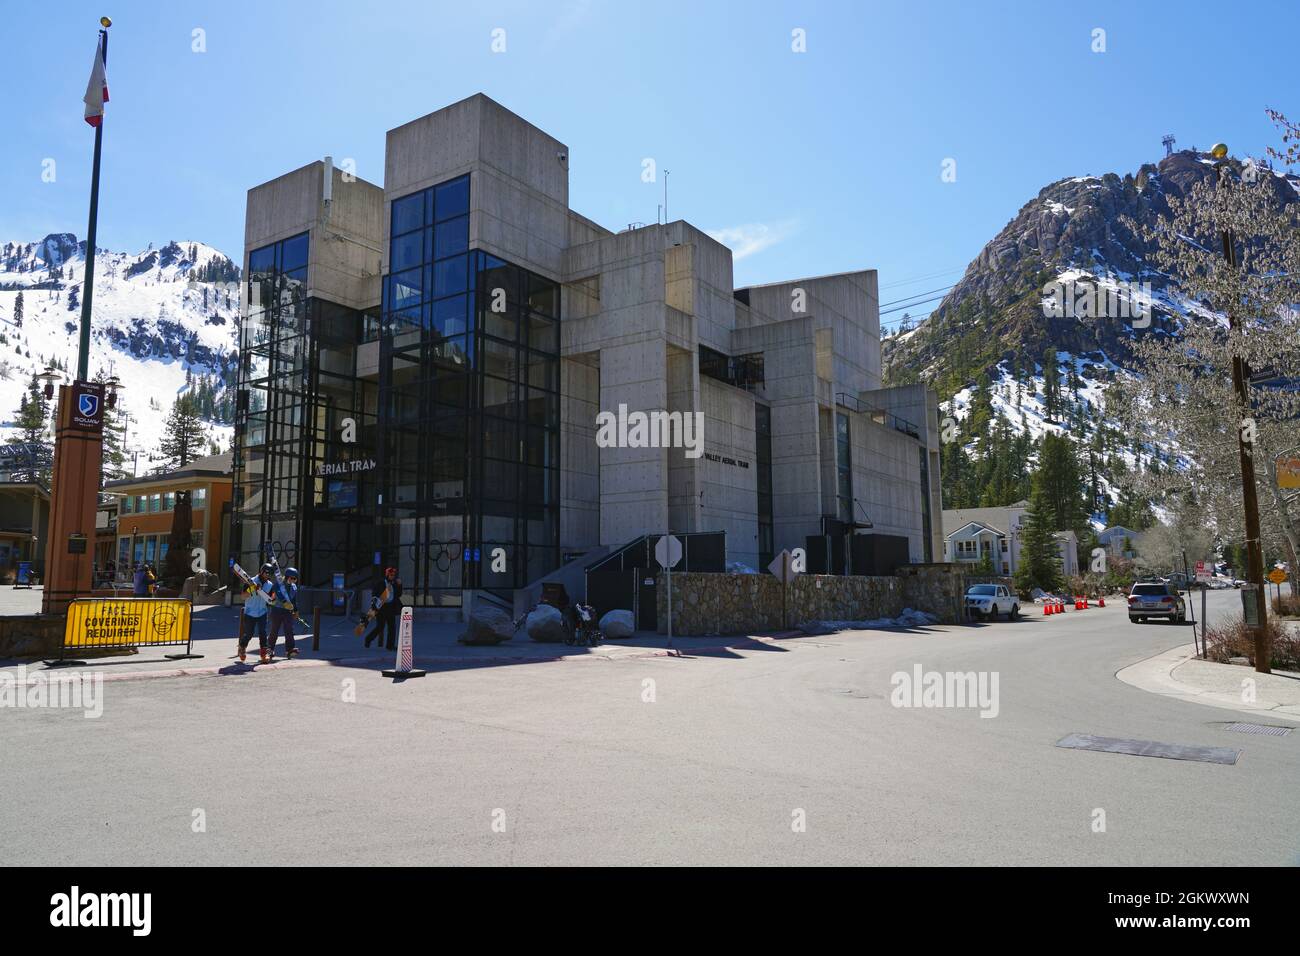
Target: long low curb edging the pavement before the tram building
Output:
[(237, 669)]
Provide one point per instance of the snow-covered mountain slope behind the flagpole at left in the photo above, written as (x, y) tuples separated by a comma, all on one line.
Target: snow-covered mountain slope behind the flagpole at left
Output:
[(164, 322)]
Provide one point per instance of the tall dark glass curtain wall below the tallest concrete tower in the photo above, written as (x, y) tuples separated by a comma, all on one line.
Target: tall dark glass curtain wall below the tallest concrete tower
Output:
[(470, 408)]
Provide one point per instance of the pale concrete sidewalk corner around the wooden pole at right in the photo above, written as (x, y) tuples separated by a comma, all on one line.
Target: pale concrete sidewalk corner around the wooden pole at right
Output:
[(1180, 674)]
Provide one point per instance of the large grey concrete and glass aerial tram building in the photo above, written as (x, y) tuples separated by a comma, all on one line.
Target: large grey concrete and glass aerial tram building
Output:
[(447, 374)]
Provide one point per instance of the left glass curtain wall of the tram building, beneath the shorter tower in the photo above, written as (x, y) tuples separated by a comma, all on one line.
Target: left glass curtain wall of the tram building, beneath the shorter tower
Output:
[(298, 384)]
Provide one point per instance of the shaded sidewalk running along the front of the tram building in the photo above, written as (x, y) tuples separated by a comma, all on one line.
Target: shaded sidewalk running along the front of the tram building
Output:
[(436, 648)]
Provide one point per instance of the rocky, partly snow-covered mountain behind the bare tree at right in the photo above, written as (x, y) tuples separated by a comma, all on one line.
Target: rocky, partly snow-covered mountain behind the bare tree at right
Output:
[(993, 341)]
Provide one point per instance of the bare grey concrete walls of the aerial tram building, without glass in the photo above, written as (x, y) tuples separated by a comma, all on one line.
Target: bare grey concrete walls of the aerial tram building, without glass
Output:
[(798, 430)]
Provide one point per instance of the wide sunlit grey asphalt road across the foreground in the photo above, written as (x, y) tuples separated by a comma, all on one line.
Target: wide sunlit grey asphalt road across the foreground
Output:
[(569, 763)]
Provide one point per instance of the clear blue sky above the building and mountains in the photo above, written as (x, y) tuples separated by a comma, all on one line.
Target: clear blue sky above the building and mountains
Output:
[(808, 163)]
